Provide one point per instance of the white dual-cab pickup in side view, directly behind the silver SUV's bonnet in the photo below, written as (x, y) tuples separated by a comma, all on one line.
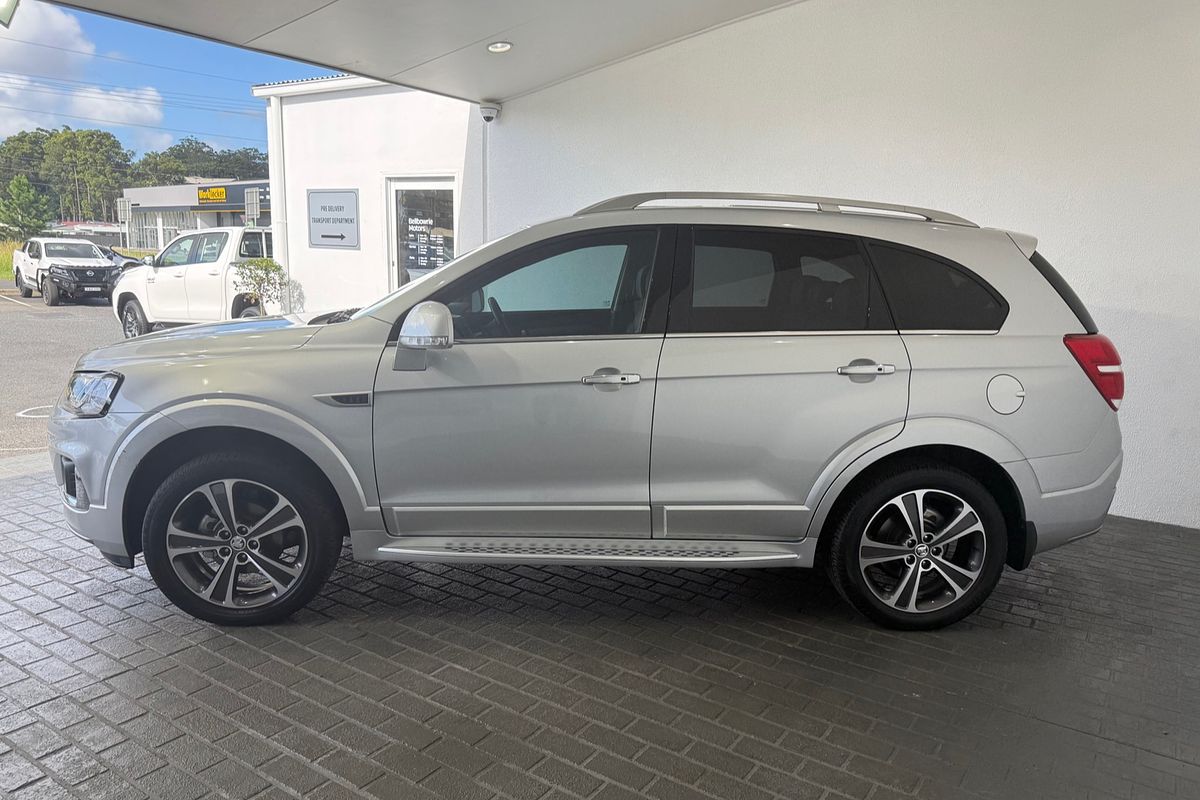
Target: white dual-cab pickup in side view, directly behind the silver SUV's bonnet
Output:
[(194, 280)]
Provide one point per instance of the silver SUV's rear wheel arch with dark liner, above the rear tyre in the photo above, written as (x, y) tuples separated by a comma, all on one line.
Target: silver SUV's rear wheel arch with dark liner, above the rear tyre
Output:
[(979, 452)]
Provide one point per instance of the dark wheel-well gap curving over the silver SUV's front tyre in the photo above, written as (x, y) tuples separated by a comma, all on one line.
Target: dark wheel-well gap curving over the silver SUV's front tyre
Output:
[(183, 447)]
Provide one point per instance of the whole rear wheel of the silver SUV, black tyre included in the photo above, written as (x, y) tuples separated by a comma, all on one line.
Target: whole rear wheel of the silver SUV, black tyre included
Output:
[(875, 522)]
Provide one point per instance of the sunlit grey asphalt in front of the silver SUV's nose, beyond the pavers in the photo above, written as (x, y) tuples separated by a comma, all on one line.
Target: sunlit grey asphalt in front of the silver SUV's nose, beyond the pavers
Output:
[(39, 346)]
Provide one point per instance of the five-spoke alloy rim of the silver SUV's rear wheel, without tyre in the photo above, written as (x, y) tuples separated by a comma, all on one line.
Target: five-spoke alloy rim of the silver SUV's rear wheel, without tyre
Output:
[(922, 551)]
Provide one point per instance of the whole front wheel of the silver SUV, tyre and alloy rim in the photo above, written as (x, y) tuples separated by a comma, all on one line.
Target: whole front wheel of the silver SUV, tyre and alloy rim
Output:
[(235, 540)]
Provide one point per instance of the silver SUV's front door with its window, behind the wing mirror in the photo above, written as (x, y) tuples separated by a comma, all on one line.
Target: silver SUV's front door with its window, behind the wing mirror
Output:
[(537, 423)]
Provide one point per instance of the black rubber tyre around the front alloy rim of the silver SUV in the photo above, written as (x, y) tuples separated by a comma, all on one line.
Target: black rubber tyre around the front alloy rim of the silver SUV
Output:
[(323, 532)]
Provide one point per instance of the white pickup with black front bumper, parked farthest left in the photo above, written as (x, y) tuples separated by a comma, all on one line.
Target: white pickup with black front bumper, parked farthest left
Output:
[(63, 269)]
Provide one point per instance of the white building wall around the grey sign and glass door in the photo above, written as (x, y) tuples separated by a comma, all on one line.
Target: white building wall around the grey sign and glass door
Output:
[(358, 139)]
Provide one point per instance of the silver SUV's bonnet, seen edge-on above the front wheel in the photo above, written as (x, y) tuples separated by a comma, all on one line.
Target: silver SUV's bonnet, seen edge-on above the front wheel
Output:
[(207, 341)]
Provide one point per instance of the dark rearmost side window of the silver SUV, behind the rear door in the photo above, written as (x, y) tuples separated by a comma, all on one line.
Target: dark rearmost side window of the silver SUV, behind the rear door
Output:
[(928, 293)]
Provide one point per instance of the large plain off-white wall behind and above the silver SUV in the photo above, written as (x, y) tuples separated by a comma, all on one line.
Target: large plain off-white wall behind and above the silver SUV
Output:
[(1075, 121)]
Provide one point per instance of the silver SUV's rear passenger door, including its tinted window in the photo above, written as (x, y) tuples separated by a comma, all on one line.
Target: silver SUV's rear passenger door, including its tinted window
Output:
[(781, 353)]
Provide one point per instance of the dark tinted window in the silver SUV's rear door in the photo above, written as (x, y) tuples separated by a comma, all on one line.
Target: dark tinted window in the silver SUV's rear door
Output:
[(749, 280)]
